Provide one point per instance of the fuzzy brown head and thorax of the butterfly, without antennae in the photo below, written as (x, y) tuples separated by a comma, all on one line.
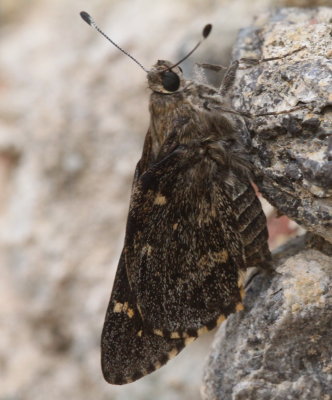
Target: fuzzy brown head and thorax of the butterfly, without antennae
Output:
[(183, 111)]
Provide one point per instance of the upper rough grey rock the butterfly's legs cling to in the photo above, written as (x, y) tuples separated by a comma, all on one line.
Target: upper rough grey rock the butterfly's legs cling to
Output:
[(292, 151)]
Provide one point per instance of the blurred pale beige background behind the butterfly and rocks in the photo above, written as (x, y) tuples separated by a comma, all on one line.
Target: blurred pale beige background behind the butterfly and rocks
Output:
[(73, 115)]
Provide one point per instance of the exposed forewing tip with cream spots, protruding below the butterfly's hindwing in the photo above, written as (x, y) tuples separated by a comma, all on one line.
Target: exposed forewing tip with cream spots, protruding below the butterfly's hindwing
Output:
[(128, 352)]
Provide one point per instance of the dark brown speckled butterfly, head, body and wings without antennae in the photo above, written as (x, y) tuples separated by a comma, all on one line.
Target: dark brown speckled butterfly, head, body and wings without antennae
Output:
[(194, 225)]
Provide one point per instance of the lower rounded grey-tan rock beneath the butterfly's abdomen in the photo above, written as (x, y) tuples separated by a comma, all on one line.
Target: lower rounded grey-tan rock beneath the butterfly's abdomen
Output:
[(280, 346)]
